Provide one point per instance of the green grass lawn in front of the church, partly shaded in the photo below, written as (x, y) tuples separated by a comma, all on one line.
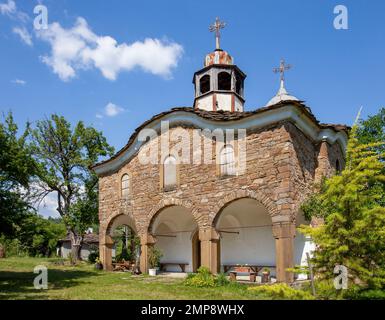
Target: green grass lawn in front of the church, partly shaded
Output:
[(84, 282)]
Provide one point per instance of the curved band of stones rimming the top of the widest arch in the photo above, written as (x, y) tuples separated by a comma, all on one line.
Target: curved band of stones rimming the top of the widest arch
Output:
[(236, 195)]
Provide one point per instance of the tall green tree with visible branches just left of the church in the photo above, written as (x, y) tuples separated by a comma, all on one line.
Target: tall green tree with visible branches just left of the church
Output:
[(64, 156)]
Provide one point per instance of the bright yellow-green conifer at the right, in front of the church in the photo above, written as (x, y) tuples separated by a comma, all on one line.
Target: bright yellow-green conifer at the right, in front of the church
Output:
[(353, 234)]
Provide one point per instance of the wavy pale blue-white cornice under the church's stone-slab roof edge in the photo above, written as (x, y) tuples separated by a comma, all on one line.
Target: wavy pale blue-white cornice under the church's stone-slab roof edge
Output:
[(288, 111)]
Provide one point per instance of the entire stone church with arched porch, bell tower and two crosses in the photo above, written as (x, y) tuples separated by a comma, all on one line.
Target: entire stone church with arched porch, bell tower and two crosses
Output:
[(243, 208)]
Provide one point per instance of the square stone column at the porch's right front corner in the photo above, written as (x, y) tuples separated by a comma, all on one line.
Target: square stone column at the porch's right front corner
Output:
[(284, 233)]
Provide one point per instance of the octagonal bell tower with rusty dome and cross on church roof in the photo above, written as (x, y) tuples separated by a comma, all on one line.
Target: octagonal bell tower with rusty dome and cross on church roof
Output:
[(220, 84)]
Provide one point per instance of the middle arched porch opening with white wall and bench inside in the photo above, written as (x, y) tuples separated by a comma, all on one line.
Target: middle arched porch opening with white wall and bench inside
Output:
[(174, 230)]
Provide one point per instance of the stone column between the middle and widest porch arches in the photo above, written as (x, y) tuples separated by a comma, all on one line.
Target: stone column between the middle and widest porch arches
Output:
[(209, 239)]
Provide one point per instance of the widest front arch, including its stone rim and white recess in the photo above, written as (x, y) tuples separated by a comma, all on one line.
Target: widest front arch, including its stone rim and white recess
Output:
[(244, 219)]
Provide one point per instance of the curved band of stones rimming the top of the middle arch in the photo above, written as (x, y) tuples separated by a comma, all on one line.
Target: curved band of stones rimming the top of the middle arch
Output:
[(169, 202)]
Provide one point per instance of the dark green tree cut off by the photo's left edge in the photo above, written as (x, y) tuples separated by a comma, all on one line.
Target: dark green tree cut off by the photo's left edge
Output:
[(16, 169)]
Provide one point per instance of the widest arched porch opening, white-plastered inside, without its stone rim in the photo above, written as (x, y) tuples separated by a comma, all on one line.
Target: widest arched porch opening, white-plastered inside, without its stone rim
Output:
[(246, 237)]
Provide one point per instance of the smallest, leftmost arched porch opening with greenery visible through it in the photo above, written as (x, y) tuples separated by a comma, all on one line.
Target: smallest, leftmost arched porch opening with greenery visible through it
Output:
[(120, 244)]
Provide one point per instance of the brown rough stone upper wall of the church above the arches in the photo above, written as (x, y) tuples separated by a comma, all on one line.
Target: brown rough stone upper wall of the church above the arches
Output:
[(281, 168)]
